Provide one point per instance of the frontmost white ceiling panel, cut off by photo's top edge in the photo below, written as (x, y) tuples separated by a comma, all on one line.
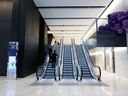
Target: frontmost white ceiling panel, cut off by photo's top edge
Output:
[(71, 2)]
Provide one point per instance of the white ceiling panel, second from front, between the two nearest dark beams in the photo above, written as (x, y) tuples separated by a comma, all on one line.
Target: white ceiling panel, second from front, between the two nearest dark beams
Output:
[(80, 12)]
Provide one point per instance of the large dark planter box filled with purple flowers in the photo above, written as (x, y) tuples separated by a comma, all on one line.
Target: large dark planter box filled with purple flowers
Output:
[(113, 34)]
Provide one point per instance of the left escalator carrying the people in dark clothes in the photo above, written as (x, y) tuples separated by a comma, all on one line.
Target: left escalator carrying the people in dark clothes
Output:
[(46, 71)]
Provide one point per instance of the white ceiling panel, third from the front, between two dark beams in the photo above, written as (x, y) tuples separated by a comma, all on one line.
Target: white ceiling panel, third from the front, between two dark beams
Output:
[(69, 22)]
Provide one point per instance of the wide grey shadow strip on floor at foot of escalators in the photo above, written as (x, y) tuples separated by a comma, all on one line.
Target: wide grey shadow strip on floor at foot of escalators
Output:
[(68, 83)]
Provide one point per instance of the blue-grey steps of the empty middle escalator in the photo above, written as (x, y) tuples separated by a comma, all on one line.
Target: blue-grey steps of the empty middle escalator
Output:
[(67, 63)]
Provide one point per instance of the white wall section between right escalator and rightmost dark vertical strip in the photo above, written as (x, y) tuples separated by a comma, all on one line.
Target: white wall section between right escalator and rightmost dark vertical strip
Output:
[(103, 58)]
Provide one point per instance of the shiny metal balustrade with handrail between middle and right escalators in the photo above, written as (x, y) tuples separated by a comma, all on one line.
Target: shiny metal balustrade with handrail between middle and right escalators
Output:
[(79, 69)]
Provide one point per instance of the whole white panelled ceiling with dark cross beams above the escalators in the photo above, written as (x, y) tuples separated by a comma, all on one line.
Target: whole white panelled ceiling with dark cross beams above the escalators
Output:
[(71, 17)]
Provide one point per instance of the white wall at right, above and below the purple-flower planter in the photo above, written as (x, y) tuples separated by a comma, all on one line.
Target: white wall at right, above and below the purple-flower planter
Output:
[(121, 54)]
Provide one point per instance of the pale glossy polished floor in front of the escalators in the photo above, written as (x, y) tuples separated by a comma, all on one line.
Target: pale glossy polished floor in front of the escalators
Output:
[(111, 85)]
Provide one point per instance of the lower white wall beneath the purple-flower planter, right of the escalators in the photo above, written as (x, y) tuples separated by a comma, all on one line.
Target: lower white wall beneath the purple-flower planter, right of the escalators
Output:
[(121, 59)]
